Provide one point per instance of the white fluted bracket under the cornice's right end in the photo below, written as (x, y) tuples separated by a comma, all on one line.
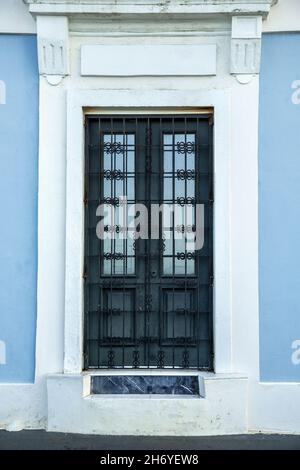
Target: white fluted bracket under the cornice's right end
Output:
[(246, 45)]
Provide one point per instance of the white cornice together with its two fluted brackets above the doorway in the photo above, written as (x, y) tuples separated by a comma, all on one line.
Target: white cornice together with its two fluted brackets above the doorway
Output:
[(56, 19)]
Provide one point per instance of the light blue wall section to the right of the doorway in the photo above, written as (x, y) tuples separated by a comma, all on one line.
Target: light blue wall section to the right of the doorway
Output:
[(279, 208)]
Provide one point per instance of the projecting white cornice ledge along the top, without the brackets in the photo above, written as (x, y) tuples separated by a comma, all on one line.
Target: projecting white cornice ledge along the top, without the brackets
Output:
[(148, 7)]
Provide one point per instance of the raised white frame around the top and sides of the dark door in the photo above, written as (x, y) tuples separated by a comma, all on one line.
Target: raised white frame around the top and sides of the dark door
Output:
[(79, 103)]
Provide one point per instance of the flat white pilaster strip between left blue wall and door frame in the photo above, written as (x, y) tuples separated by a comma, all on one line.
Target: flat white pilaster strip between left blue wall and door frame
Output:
[(51, 230)]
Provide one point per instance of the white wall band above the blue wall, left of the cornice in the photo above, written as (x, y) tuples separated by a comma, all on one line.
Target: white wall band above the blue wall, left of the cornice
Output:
[(15, 18)]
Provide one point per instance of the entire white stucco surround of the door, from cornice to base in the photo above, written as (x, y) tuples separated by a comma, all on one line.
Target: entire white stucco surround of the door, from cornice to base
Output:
[(235, 399)]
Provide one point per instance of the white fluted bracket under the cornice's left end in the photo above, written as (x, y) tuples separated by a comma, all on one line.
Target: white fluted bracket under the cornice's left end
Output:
[(53, 44)]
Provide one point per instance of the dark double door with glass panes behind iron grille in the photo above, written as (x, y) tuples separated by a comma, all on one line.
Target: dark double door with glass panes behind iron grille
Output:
[(148, 300)]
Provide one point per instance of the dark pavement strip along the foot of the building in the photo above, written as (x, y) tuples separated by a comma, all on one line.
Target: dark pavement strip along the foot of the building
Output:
[(41, 440)]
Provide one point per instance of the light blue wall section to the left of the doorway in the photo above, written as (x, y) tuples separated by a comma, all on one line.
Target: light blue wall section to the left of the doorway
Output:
[(18, 206)]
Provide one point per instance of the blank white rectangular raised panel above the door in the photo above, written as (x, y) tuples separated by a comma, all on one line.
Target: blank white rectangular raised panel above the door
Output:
[(161, 60)]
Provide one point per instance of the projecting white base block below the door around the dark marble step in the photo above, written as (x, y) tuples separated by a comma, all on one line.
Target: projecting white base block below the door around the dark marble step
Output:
[(223, 411)]
